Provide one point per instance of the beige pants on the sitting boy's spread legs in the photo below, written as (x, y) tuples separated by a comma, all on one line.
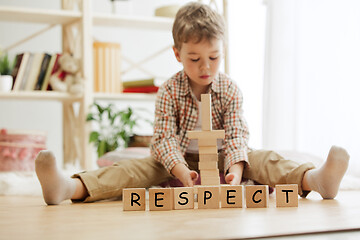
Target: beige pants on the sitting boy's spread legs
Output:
[(265, 167)]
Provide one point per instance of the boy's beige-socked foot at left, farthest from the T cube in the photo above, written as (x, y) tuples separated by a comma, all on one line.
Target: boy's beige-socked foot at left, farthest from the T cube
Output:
[(56, 188)]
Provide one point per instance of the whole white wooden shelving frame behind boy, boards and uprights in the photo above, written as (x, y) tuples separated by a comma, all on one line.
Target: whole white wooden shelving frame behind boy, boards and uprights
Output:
[(75, 128)]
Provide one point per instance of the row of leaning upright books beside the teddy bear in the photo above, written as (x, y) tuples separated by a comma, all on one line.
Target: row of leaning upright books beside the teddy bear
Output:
[(32, 71)]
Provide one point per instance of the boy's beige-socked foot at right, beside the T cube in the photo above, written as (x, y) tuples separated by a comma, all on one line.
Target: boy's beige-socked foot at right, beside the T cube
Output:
[(326, 180)]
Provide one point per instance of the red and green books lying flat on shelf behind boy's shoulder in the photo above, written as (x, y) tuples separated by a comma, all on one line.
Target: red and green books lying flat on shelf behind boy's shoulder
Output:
[(140, 86)]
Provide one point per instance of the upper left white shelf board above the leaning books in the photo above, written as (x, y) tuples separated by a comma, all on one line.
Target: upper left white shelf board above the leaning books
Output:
[(29, 15)]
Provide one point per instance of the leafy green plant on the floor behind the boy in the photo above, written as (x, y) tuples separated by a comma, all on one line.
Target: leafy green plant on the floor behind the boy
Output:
[(114, 127)]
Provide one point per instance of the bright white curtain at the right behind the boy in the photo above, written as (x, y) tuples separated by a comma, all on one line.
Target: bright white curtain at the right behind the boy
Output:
[(312, 76)]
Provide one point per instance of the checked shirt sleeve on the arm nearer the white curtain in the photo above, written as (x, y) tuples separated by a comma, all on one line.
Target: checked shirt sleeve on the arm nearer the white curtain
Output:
[(236, 129)]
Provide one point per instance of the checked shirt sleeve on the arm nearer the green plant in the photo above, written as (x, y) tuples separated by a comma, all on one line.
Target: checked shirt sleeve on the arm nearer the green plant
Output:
[(165, 146)]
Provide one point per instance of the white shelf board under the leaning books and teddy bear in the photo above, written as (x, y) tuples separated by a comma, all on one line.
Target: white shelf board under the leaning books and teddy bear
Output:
[(39, 95)]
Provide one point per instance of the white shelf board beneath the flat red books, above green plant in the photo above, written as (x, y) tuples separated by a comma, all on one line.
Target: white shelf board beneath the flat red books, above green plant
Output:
[(125, 96)]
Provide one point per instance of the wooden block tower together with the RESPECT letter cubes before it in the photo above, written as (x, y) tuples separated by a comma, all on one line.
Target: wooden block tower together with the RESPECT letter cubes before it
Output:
[(211, 196)]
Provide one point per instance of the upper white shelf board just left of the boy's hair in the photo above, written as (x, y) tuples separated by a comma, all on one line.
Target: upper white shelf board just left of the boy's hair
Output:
[(153, 23)]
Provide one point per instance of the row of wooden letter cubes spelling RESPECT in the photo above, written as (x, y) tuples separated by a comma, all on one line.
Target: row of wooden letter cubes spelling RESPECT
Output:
[(209, 197)]
